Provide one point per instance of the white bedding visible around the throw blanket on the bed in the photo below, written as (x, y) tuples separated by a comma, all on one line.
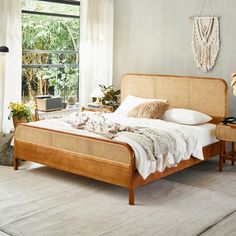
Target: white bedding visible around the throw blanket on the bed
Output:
[(200, 135)]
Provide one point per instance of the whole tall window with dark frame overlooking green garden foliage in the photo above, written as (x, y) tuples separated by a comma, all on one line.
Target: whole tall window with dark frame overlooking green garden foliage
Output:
[(50, 60)]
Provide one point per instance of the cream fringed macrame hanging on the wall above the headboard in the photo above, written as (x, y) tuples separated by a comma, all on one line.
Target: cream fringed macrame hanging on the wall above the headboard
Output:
[(205, 39)]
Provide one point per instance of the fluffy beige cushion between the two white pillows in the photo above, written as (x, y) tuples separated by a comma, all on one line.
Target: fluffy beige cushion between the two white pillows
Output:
[(149, 110)]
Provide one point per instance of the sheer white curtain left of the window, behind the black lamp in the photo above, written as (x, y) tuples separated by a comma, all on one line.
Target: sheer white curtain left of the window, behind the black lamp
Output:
[(10, 67)]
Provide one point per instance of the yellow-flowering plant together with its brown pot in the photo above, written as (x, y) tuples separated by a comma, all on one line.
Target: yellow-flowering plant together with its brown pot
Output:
[(20, 113)]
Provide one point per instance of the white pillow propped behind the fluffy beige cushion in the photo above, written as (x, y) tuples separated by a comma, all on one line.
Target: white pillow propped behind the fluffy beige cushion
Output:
[(131, 101)]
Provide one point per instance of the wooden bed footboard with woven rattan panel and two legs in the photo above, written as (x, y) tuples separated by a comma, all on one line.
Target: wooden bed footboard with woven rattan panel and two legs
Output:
[(100, 159)]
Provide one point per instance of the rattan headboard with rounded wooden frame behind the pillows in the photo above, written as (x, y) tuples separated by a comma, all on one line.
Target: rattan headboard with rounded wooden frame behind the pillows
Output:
[(208, 95)]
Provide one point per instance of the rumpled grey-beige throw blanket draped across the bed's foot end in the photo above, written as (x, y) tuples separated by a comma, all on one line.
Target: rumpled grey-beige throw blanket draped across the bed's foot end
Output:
[(162, 146)]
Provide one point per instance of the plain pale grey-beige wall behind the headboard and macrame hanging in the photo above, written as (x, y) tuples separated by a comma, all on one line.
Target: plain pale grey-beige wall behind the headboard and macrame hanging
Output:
[(154, 36)]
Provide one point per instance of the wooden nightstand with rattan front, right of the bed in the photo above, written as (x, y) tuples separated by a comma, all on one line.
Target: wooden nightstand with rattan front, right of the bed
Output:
[(226, 133)]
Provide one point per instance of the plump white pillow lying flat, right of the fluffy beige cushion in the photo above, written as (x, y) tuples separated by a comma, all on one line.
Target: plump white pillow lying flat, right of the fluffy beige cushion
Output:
[(185, 116)]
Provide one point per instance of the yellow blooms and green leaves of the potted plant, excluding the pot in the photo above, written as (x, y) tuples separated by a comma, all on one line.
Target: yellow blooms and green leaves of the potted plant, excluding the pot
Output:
[(20, 110)]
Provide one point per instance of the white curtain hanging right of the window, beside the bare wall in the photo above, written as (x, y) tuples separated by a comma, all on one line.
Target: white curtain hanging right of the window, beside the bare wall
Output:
[(96, 45)]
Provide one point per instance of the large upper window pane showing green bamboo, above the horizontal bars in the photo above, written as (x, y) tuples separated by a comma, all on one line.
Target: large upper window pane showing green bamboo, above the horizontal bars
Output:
[(49, 33)]
